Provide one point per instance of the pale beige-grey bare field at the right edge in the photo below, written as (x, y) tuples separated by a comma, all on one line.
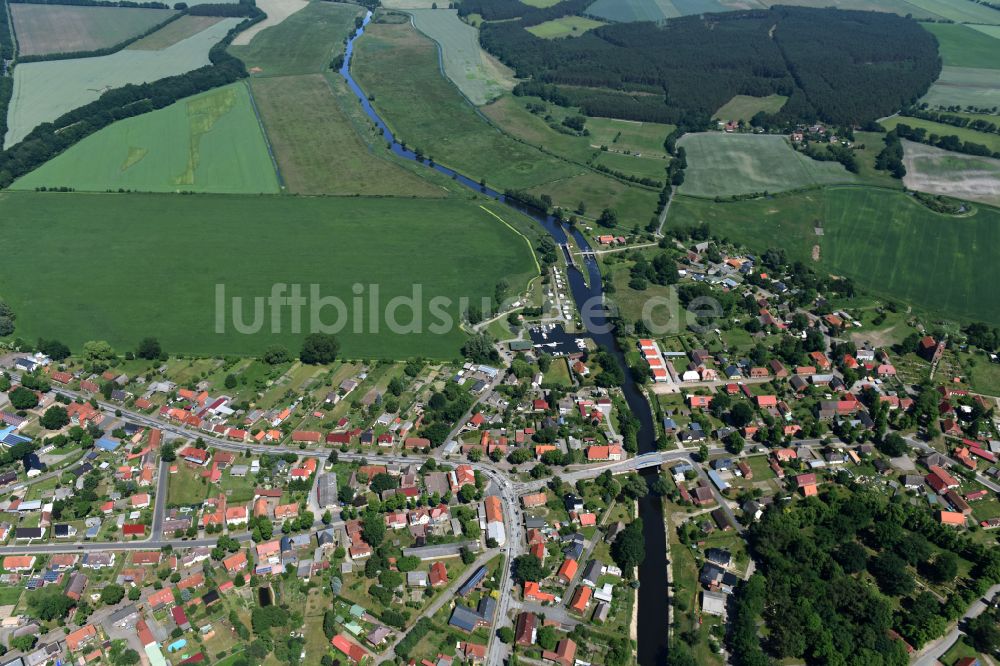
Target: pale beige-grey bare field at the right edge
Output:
[(930, 169)]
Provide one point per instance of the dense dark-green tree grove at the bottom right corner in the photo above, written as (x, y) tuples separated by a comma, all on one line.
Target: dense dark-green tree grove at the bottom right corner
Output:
[(815, 561)]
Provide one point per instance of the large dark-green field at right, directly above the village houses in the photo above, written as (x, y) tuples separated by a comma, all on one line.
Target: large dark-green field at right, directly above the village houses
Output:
[(885, 241)]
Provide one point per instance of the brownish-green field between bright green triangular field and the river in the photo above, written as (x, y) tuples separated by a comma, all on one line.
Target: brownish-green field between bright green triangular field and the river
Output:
[(317, 148)]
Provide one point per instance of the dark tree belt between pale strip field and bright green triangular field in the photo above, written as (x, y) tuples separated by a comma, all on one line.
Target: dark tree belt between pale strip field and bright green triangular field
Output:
[(49, 139)]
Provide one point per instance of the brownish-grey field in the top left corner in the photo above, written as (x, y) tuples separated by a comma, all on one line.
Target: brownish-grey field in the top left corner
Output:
[(48, 29)]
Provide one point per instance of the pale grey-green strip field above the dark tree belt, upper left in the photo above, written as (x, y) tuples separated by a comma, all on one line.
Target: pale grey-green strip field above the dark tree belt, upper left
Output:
[(43, 91)]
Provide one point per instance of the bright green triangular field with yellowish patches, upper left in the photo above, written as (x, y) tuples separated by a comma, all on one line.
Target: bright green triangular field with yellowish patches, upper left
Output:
[(207, 143)]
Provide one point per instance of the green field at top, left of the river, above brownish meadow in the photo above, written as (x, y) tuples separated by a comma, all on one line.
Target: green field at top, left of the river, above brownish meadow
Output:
[(304, 43)]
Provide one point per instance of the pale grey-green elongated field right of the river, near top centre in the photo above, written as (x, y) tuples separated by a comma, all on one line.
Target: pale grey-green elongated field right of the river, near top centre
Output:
[(477, 74)]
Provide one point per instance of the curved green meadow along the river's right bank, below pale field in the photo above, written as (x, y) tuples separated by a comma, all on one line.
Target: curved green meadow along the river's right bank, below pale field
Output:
[(399, 68)]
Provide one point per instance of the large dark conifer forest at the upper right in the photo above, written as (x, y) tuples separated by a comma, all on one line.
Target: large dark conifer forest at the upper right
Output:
[(841, 67)]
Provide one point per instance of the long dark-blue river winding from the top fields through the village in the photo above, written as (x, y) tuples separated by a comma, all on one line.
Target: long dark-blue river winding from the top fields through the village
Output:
[(652, 608)]
